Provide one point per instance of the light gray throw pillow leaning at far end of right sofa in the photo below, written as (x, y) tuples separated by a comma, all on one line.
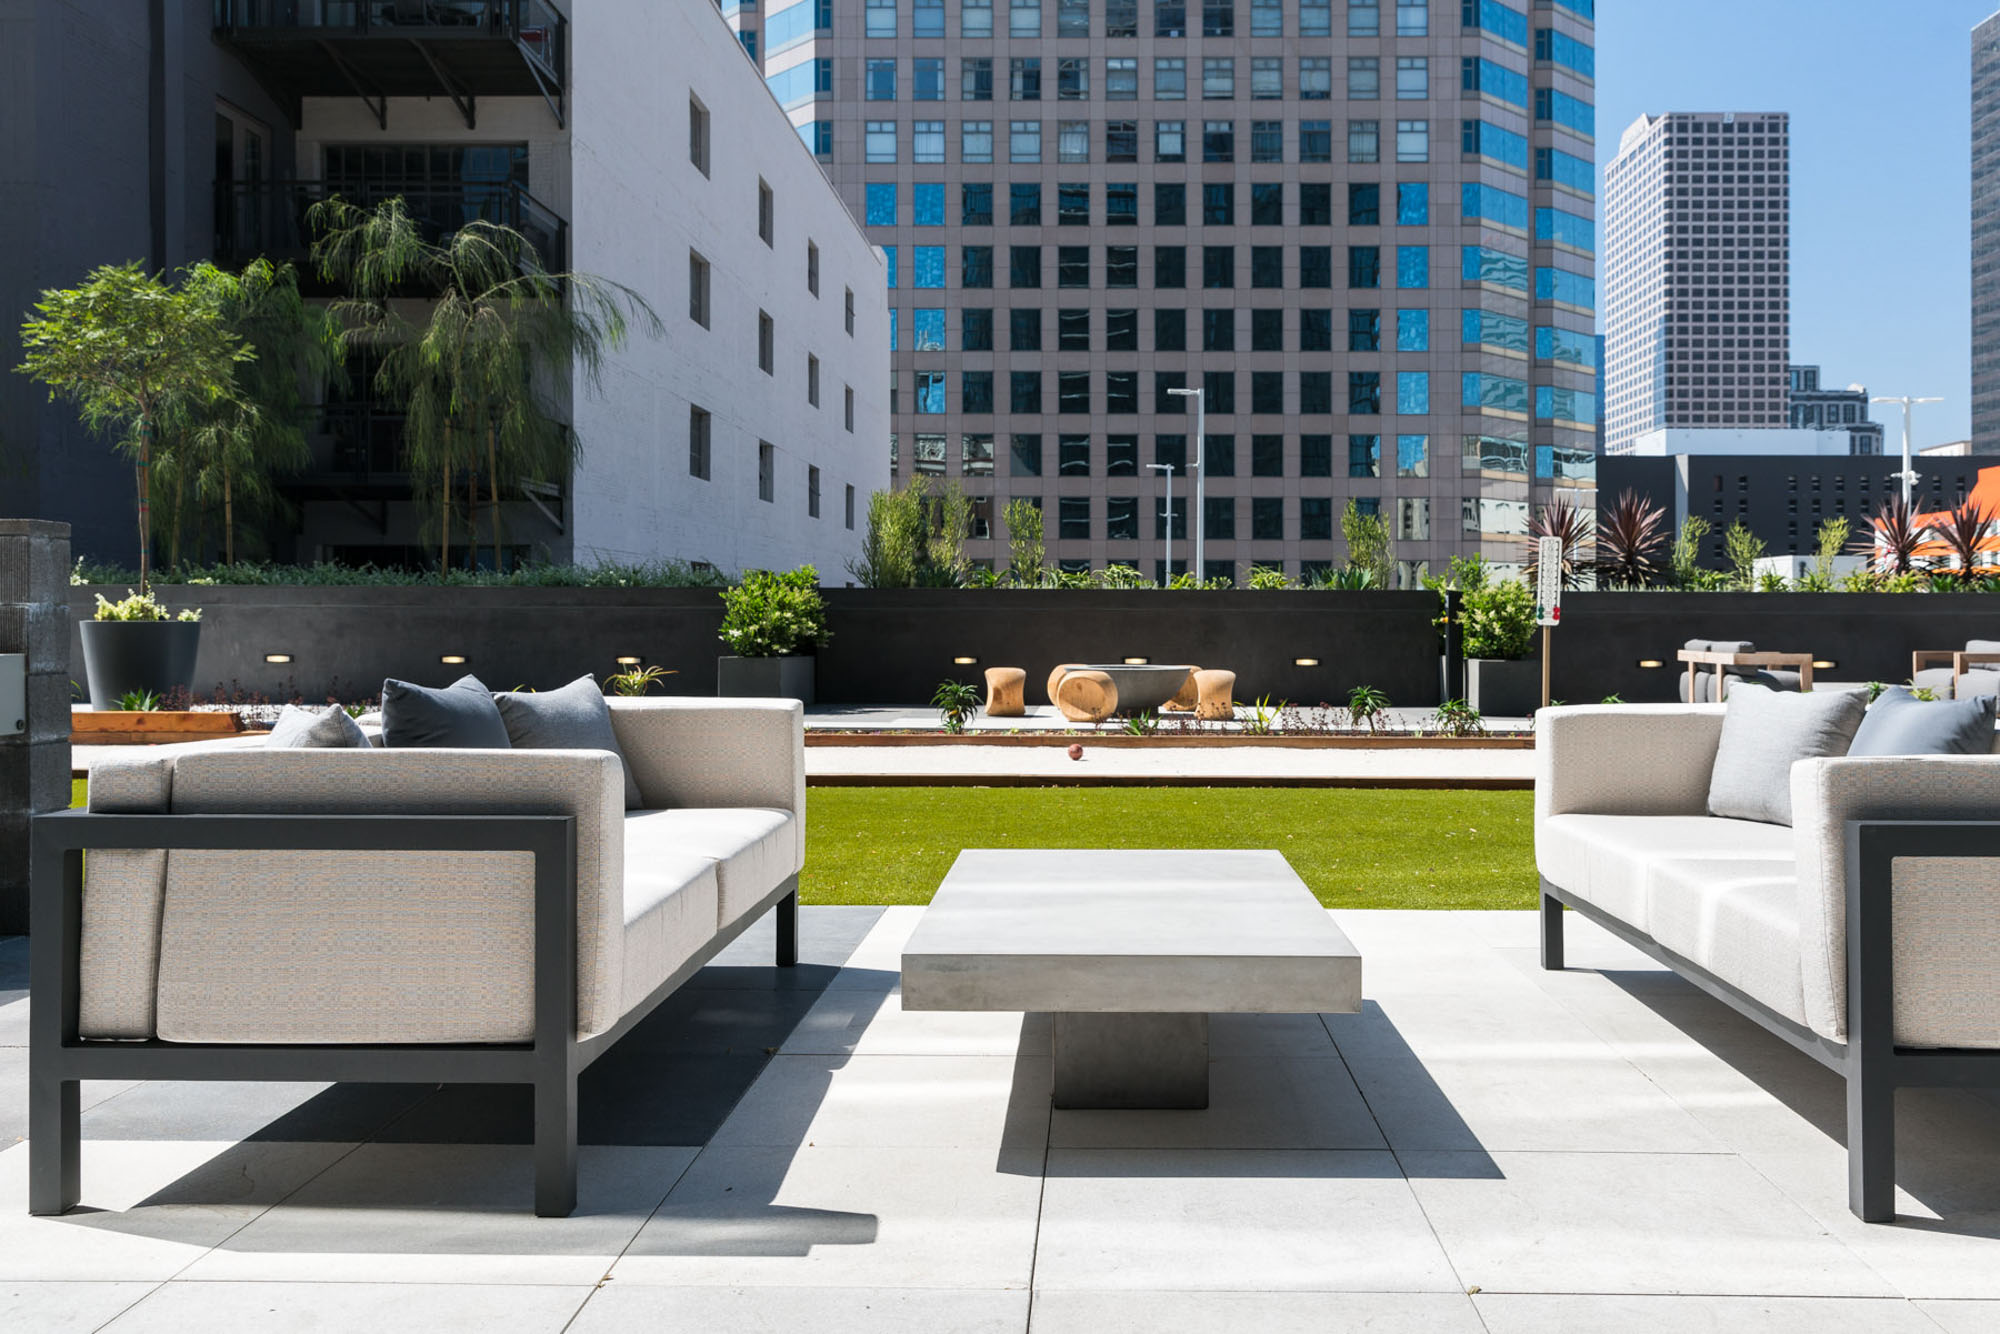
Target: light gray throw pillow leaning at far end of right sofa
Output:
[(1769, 731)]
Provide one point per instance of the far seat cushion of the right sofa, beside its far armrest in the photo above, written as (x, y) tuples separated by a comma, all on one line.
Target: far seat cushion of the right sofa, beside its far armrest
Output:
[(1609, 861)]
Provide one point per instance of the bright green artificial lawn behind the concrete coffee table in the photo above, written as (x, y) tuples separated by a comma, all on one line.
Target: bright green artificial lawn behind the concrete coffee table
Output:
[(1355, 847)]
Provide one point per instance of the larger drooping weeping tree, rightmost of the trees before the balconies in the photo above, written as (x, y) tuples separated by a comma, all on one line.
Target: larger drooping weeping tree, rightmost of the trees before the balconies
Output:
[(481, 365)]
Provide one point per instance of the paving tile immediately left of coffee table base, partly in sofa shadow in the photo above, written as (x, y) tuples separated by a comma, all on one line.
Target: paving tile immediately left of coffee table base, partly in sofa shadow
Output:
[(895, 1103)]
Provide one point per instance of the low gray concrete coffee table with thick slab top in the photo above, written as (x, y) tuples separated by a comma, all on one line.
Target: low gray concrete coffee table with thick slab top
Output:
[(1131, 953)]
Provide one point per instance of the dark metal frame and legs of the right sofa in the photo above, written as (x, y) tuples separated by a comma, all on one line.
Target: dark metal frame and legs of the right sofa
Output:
[(1869, 1061)]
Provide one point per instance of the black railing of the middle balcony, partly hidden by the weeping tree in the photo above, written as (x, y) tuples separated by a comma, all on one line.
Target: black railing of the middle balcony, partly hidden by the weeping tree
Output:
[(269, 221)]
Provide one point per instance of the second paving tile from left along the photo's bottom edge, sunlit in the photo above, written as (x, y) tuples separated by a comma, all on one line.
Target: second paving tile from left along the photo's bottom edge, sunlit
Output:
[(379, 1309)]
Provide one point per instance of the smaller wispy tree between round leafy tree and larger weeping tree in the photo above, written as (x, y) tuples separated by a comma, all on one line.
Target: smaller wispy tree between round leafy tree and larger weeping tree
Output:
[(225, 453)]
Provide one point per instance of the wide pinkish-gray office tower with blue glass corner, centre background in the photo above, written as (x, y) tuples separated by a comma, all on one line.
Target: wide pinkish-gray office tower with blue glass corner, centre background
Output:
[(1361, 229)]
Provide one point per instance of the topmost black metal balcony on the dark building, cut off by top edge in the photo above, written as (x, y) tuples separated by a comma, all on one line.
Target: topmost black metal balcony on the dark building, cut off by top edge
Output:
[(401, 49)]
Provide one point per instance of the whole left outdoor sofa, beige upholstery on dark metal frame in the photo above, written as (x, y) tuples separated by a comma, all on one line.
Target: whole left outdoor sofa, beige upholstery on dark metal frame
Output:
[(493, 917)]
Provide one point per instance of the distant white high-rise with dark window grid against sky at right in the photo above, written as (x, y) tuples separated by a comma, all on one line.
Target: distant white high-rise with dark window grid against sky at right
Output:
[(1697, 275)]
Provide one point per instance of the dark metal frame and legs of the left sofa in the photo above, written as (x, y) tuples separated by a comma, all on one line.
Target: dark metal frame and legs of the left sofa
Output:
[(551, 1063)]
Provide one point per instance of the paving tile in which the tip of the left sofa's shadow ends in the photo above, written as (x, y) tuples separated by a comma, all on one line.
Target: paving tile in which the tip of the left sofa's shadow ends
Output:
[(845, 1219)]
